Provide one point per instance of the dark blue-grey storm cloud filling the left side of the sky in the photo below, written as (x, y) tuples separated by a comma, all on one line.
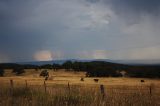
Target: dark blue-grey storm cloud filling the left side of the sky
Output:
[(17, 41)]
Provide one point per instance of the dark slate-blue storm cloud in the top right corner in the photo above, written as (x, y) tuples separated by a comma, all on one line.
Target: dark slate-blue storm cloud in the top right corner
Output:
[(135, 8)]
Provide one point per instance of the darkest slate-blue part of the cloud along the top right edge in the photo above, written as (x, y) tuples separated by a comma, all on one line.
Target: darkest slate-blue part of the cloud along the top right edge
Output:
[(136, 6)]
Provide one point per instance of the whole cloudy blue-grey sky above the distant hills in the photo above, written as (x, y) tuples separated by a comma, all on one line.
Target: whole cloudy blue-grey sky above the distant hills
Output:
[(42, 30)]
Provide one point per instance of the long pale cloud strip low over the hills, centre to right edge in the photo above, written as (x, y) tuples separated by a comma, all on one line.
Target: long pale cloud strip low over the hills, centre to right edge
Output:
[(146, 53)]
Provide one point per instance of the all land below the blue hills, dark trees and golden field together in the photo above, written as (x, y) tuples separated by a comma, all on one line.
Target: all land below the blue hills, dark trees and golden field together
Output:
[(79, 84)]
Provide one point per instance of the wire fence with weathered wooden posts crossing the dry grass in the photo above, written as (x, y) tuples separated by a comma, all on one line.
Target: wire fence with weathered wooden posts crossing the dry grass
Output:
[(103, 89)]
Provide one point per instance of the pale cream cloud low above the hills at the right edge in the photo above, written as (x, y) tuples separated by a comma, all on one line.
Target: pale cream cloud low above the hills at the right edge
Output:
[(146, 53)]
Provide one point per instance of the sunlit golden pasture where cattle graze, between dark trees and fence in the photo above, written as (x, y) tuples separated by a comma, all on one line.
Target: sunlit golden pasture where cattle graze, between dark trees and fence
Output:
[(63, 77)]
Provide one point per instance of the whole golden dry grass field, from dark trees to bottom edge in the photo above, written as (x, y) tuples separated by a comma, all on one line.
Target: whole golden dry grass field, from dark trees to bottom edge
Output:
[(66, 89)]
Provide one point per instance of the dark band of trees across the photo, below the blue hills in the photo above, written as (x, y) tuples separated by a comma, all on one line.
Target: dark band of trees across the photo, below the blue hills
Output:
[(93, 69)]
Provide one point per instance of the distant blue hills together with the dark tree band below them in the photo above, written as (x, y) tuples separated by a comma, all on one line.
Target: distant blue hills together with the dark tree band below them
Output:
[(94, 68)]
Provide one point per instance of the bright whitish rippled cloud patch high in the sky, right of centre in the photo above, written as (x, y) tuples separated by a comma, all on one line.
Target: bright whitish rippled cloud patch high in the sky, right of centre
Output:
[(91, 16)]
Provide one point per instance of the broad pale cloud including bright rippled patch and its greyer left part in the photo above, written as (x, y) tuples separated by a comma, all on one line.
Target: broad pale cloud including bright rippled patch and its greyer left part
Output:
[(69, 13)]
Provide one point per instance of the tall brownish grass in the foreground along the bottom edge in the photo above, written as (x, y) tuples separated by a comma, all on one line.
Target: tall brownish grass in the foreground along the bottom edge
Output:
[(62, 95)]
